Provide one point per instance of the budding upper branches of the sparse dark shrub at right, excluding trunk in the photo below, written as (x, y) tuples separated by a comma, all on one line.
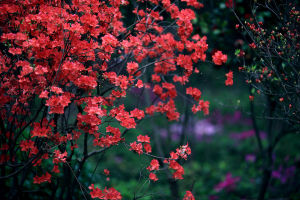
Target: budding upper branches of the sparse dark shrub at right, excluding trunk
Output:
[(274, 69)]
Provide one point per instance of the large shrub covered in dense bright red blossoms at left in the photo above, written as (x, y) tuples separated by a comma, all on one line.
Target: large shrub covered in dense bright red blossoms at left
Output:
[(66, 68)]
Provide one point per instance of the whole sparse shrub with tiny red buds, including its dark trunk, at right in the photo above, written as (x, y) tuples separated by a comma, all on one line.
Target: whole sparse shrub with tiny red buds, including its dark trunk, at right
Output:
[(273, 73)]
